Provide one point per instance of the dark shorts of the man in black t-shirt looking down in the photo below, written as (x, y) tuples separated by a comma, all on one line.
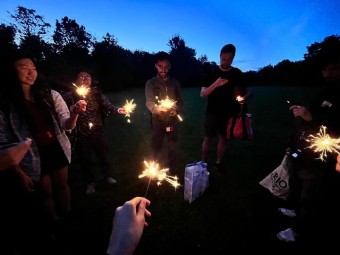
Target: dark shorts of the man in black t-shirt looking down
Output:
[(215, 125)]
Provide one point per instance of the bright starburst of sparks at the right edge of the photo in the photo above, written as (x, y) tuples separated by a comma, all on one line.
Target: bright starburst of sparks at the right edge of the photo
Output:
[(323, 143)]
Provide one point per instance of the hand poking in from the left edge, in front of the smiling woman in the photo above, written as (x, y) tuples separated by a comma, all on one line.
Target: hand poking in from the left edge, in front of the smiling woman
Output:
[(12, 156)]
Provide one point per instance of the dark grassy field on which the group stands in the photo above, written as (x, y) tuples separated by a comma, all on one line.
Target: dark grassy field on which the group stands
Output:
[(234, 213)]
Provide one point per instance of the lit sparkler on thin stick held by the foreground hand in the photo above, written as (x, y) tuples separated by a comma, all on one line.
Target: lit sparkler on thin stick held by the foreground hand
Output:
[(154, 172)]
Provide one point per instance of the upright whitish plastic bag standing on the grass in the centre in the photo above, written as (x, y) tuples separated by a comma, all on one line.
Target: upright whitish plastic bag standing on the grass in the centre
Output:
[(196, 180)]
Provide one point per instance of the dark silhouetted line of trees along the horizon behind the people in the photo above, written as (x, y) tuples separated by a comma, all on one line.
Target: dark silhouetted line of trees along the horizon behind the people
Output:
[(72, 48)]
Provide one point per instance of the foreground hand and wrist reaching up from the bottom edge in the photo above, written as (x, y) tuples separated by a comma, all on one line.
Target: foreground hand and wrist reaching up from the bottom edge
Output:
[(128, 226)]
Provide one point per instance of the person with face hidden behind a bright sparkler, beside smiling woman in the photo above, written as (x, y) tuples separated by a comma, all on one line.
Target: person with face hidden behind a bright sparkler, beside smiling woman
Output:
[(90, 127)]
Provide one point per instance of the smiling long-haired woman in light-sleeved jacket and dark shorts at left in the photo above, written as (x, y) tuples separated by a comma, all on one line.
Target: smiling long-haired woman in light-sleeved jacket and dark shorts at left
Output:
[(31, 110)]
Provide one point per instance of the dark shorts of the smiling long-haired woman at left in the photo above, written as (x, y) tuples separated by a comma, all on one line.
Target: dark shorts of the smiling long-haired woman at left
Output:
[(52, 157)]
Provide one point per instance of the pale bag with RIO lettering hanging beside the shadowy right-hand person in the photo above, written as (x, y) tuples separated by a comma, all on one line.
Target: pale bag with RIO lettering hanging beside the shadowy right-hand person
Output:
[(277, 181)]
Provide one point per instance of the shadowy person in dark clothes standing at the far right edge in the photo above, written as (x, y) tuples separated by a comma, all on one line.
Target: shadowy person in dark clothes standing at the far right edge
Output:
[(314, 181)]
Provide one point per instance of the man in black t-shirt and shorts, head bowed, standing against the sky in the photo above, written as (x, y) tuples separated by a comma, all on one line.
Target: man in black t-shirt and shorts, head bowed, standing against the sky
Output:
[(226, 93)]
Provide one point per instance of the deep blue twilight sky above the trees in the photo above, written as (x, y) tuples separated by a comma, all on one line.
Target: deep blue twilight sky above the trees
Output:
[(264, 32)]
